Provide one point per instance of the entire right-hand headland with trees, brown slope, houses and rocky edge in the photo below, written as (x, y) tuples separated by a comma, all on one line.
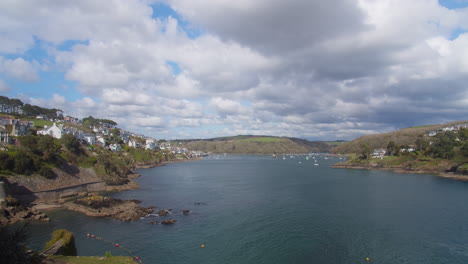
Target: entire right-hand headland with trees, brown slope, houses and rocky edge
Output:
[(441, 150)]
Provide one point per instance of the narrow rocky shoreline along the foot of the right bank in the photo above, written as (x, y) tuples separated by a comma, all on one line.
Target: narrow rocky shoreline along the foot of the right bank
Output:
[(400, 169)]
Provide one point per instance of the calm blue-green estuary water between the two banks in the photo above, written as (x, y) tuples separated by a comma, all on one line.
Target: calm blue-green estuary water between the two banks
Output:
[(256, 209)]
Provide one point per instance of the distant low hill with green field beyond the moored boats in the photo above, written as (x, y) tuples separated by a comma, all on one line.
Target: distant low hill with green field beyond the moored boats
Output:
[(248, 144)]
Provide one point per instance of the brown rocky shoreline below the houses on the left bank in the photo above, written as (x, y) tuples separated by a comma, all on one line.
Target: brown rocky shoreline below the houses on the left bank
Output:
[(92, 204)]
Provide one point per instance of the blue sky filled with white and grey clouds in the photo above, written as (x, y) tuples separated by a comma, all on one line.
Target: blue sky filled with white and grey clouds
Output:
[(320, 70)]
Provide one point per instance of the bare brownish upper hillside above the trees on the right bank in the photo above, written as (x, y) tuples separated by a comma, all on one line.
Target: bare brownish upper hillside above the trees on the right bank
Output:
[(406, 136)]
